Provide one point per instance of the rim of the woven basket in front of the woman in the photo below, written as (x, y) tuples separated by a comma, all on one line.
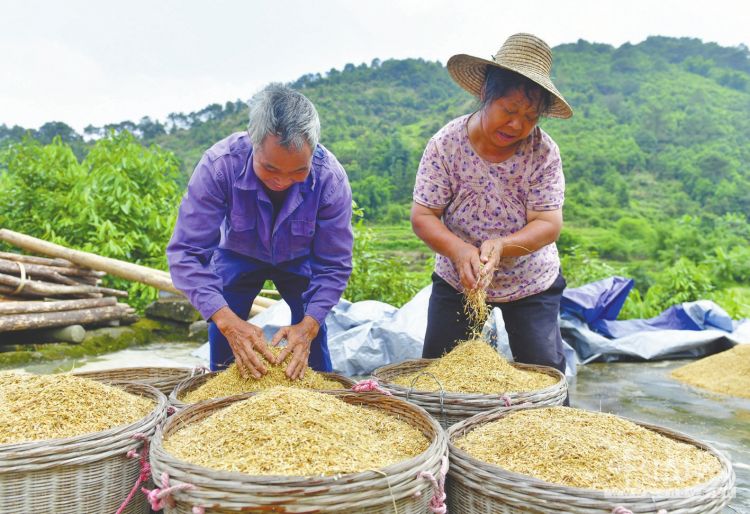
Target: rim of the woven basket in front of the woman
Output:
[(452, 395)]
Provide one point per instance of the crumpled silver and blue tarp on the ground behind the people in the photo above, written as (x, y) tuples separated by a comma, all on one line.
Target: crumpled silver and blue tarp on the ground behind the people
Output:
[(365, 335)]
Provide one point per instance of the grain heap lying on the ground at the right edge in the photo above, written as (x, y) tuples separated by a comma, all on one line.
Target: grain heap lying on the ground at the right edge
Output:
[(726, 372)]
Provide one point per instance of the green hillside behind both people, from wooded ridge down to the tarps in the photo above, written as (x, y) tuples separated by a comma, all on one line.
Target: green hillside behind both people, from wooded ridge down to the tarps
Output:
[(656, 157)]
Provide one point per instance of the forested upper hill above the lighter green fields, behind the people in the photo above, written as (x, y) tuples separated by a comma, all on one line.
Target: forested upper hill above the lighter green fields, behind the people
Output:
[(661, 127)]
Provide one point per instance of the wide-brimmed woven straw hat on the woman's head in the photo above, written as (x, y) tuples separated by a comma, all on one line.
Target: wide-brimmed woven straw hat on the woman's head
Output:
[(525, 54)]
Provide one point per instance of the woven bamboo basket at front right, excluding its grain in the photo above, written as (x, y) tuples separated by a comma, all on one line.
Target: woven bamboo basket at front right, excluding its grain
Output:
[(478, 487)]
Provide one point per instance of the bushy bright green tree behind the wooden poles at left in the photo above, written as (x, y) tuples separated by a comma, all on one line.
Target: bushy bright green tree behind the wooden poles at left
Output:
[(120, 201)]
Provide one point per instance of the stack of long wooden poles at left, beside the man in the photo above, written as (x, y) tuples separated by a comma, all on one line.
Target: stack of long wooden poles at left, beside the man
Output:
[(64, 289)]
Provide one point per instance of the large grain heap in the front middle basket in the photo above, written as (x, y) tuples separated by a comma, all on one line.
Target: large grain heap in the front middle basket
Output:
[(294, 432)]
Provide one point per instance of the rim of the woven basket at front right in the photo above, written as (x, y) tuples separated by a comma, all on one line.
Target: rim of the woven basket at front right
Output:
[(726, 476)]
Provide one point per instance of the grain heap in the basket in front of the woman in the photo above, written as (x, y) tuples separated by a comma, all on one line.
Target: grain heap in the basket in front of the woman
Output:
[(475, 367)]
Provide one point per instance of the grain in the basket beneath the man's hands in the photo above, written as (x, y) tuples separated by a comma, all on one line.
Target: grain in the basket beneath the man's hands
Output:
[(230, 382)]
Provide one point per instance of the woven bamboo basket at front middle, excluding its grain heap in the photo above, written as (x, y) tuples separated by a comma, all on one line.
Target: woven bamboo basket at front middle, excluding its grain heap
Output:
[(392, 489)]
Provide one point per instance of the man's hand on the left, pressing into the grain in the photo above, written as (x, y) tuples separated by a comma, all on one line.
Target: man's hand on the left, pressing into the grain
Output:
[(243, 337)]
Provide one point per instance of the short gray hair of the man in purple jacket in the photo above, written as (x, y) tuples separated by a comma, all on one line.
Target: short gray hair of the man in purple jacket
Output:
[(281, 111)]
